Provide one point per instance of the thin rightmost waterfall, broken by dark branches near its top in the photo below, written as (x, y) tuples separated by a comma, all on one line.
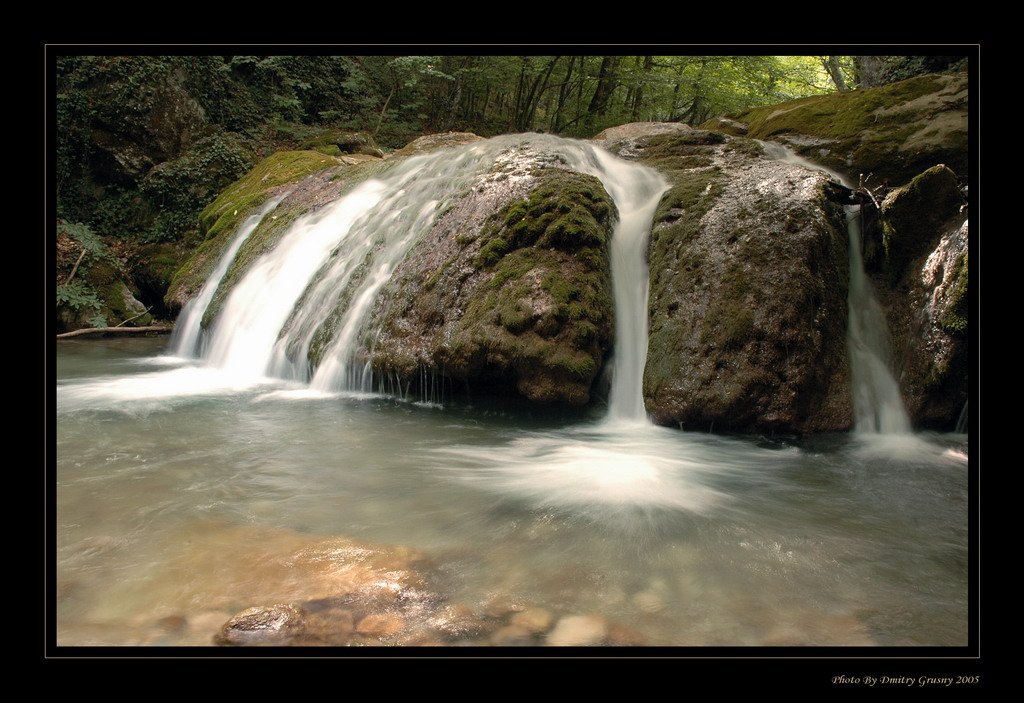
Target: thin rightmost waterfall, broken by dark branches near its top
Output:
[(877, 401)]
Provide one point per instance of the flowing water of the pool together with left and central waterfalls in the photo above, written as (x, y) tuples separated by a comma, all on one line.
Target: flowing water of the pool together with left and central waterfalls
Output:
[(186, 481)]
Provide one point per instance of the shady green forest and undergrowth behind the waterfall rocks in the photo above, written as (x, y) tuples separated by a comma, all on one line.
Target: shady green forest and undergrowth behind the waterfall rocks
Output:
[(144, 144)]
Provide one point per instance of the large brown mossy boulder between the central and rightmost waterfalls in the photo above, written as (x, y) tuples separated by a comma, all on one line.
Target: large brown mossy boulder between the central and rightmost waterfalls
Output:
[(748, 300)]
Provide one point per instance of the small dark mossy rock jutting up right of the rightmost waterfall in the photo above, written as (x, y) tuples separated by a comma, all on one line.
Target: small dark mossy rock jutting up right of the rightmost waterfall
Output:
[(913, 216)]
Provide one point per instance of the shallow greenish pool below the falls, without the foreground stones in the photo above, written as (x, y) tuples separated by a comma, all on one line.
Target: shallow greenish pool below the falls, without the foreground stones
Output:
[(167, 472)]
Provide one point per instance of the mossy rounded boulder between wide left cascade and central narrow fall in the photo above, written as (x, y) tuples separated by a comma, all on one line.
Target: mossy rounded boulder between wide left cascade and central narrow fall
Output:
[(510, 290)]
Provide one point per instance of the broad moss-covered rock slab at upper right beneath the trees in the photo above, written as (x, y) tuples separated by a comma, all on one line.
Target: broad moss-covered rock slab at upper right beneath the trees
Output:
[(893, 131)]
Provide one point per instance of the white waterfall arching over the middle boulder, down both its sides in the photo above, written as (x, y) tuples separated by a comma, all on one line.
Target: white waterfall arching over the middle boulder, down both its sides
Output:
[(311, 296)]
